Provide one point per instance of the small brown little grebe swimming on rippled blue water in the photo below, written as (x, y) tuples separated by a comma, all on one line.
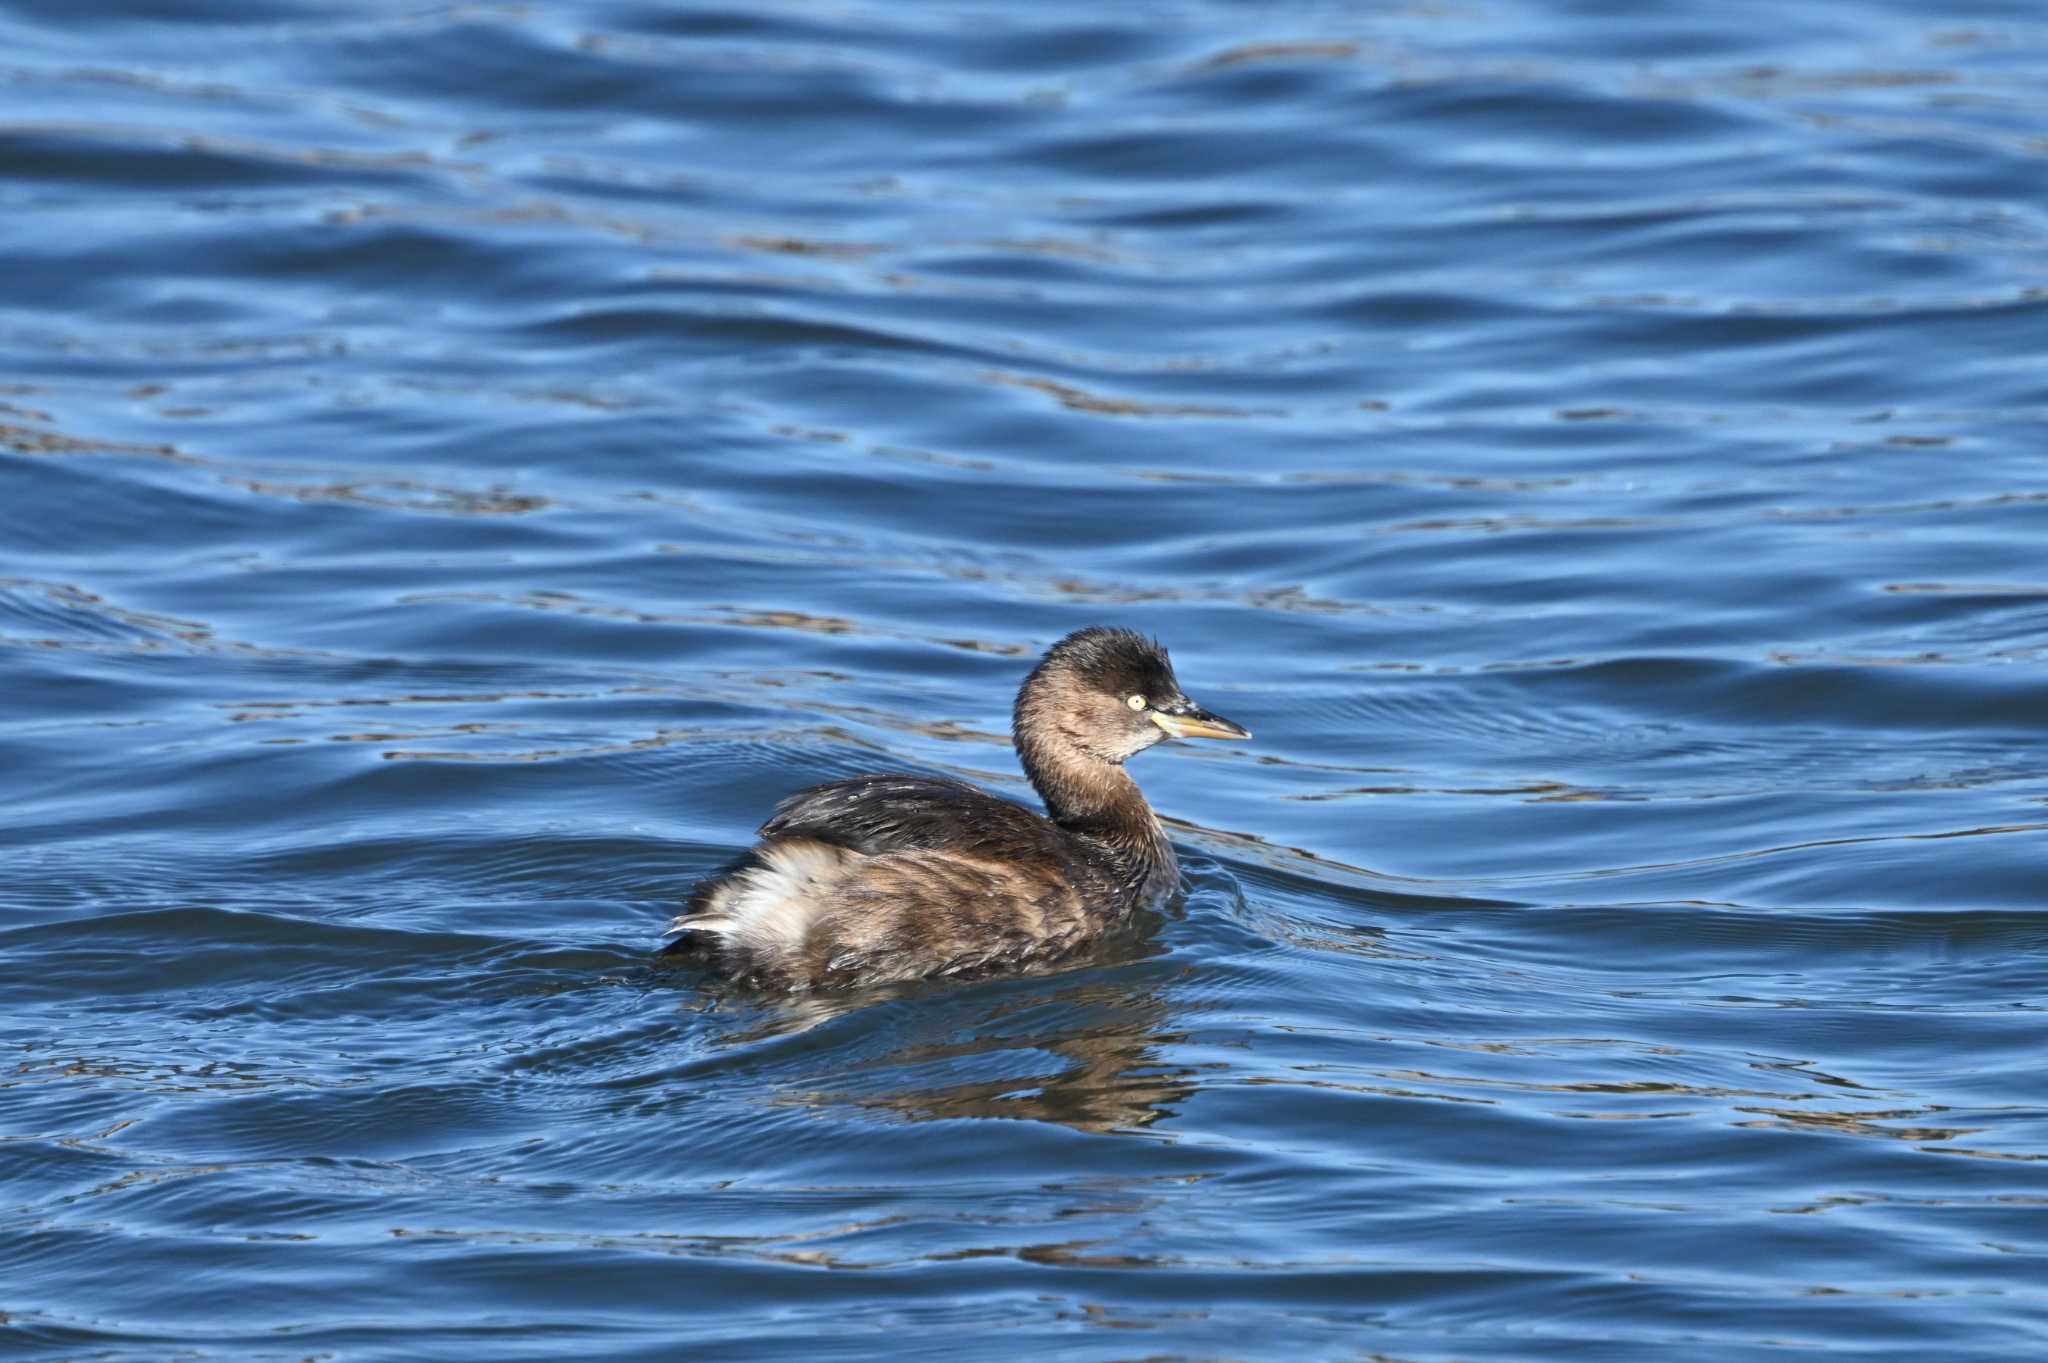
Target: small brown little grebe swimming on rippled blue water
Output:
[(884, 879)]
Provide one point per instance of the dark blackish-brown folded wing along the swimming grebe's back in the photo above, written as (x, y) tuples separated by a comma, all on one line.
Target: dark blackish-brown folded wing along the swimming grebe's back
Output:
[(914, 814)]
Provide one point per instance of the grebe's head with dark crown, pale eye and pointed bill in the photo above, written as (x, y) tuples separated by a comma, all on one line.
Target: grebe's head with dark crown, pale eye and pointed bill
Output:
[(1111, 695)]
